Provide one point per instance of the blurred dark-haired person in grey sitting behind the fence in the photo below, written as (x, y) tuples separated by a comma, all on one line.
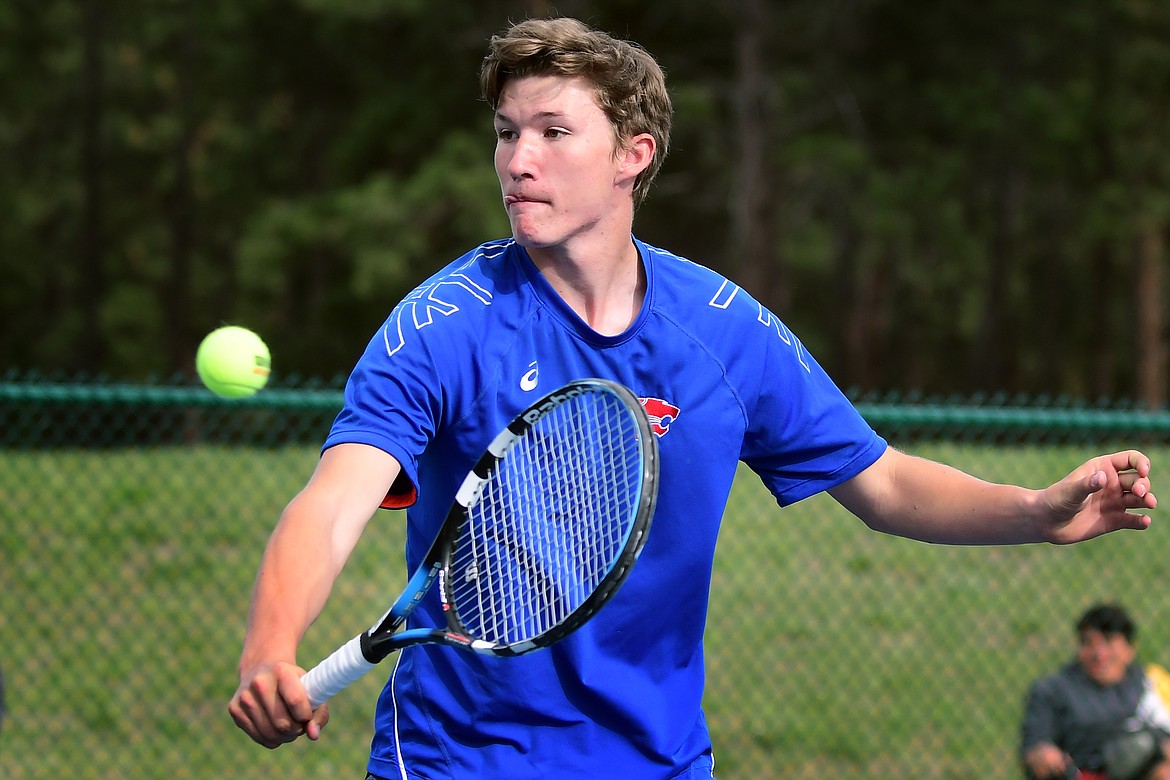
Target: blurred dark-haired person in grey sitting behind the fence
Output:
[(1103, 716)]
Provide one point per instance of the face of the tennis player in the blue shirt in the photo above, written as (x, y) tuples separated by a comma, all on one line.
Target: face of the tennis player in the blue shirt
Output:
[(559, 165)]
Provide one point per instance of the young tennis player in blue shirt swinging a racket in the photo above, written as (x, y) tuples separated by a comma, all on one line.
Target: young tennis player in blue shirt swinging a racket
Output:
[(582, 126)]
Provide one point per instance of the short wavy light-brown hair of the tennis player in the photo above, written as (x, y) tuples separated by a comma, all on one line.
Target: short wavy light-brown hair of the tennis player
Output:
[(629, 84)]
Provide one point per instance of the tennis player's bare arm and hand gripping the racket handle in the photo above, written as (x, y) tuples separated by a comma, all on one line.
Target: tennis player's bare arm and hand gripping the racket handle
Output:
[(308, 549)]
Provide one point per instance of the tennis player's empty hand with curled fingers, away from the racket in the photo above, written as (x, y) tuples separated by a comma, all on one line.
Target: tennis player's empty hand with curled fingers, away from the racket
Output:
[(1100, 496)]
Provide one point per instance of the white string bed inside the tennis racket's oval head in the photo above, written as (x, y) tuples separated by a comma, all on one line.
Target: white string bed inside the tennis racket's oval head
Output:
[(552, 522)]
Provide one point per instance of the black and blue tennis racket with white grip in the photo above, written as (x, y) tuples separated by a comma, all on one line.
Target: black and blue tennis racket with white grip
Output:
[(542, 534)]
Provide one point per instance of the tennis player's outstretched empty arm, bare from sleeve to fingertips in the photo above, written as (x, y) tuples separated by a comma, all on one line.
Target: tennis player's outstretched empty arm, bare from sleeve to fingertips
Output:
[(924, 500)]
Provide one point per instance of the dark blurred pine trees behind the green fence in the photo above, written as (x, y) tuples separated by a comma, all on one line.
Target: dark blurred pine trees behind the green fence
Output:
[(944, 197)]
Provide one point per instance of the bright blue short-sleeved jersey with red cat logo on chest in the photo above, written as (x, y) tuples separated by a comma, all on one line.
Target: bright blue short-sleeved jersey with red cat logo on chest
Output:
[(724, 382)]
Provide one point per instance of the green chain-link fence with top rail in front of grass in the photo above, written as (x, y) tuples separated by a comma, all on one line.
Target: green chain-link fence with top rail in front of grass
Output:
[(134, 519)]
